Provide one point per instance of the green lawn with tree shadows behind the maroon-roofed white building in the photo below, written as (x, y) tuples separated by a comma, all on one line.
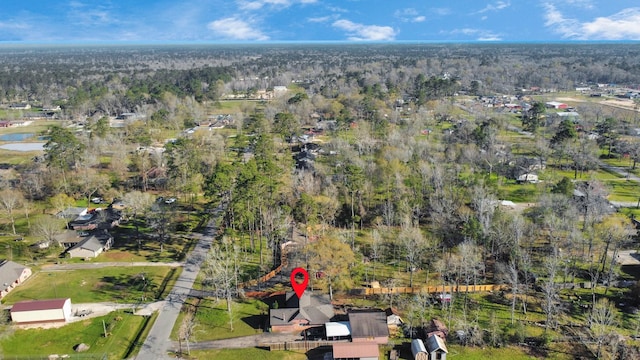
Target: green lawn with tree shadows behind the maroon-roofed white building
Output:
[(116, 284)]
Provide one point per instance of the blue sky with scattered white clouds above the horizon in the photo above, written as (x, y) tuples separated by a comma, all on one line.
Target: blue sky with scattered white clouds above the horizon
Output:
[(82, 21)]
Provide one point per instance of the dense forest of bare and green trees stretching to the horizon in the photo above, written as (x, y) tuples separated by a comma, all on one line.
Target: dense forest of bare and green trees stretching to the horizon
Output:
[(408, 171)]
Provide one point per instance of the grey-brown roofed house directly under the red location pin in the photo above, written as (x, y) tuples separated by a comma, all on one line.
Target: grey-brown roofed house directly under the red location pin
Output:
[(299, 314)]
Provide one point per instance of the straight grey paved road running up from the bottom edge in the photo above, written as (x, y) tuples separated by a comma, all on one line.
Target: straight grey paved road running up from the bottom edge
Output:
[(158, 344)]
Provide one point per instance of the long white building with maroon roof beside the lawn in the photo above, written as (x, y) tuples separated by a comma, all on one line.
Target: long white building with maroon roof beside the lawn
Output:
[(41, 311)]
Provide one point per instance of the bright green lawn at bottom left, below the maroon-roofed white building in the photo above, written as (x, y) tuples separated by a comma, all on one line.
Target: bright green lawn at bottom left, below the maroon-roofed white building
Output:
[(122, 327)]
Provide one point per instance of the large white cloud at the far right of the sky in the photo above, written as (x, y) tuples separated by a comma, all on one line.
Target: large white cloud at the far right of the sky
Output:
[(624, 25)]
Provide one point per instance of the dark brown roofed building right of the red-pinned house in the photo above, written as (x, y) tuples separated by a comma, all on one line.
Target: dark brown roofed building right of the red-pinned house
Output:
[(369, 326)]
